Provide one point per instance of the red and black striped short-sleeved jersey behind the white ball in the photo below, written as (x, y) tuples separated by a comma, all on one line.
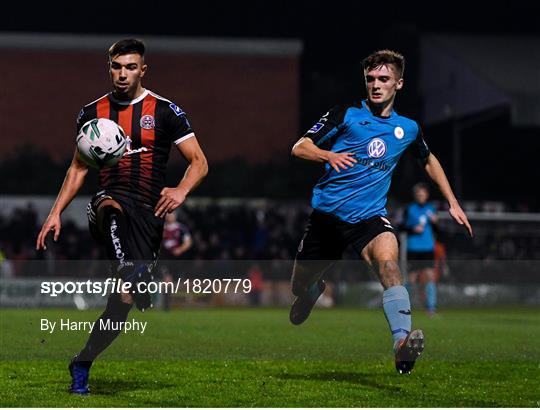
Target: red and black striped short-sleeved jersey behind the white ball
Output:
[(152, 124)]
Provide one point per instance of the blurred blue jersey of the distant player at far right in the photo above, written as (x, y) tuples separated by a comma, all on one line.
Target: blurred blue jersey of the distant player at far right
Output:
[(420, 215)]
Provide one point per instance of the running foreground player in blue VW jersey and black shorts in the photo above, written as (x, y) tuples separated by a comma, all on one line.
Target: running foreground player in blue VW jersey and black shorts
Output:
[(360, 146)]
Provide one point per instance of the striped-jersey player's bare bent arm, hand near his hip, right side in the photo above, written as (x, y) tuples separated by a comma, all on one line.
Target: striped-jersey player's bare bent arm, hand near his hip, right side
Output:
[(172, 198)]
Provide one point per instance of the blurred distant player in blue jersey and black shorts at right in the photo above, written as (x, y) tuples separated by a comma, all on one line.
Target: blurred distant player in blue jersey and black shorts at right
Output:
[(420, 219)]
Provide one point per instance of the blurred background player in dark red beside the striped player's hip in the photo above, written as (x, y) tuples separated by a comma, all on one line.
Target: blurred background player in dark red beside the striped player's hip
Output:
[(177, 241)]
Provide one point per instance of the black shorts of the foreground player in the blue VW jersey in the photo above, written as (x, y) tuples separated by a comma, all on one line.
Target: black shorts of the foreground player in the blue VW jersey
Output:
[(326, 236)]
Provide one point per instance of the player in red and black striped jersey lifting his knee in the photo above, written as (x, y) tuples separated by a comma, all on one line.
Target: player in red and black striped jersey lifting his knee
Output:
[(126, 215)]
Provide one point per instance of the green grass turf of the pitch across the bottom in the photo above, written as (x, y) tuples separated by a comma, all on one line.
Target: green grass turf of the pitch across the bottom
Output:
[(254, 357)]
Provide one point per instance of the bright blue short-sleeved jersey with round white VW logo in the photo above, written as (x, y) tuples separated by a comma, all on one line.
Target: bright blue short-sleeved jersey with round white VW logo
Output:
[(359, 192)]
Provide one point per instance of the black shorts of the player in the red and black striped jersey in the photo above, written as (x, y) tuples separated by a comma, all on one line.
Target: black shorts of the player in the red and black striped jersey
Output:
[(145, 230)]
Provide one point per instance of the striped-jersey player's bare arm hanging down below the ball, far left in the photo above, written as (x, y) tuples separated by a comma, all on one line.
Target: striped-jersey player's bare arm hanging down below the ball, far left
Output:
[(72, 183)]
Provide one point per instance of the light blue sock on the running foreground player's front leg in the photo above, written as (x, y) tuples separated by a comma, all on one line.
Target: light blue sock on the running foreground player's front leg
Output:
[(397, 309)]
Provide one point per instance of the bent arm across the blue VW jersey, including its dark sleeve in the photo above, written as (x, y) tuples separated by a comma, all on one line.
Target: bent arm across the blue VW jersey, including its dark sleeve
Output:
[(322, 135)]
